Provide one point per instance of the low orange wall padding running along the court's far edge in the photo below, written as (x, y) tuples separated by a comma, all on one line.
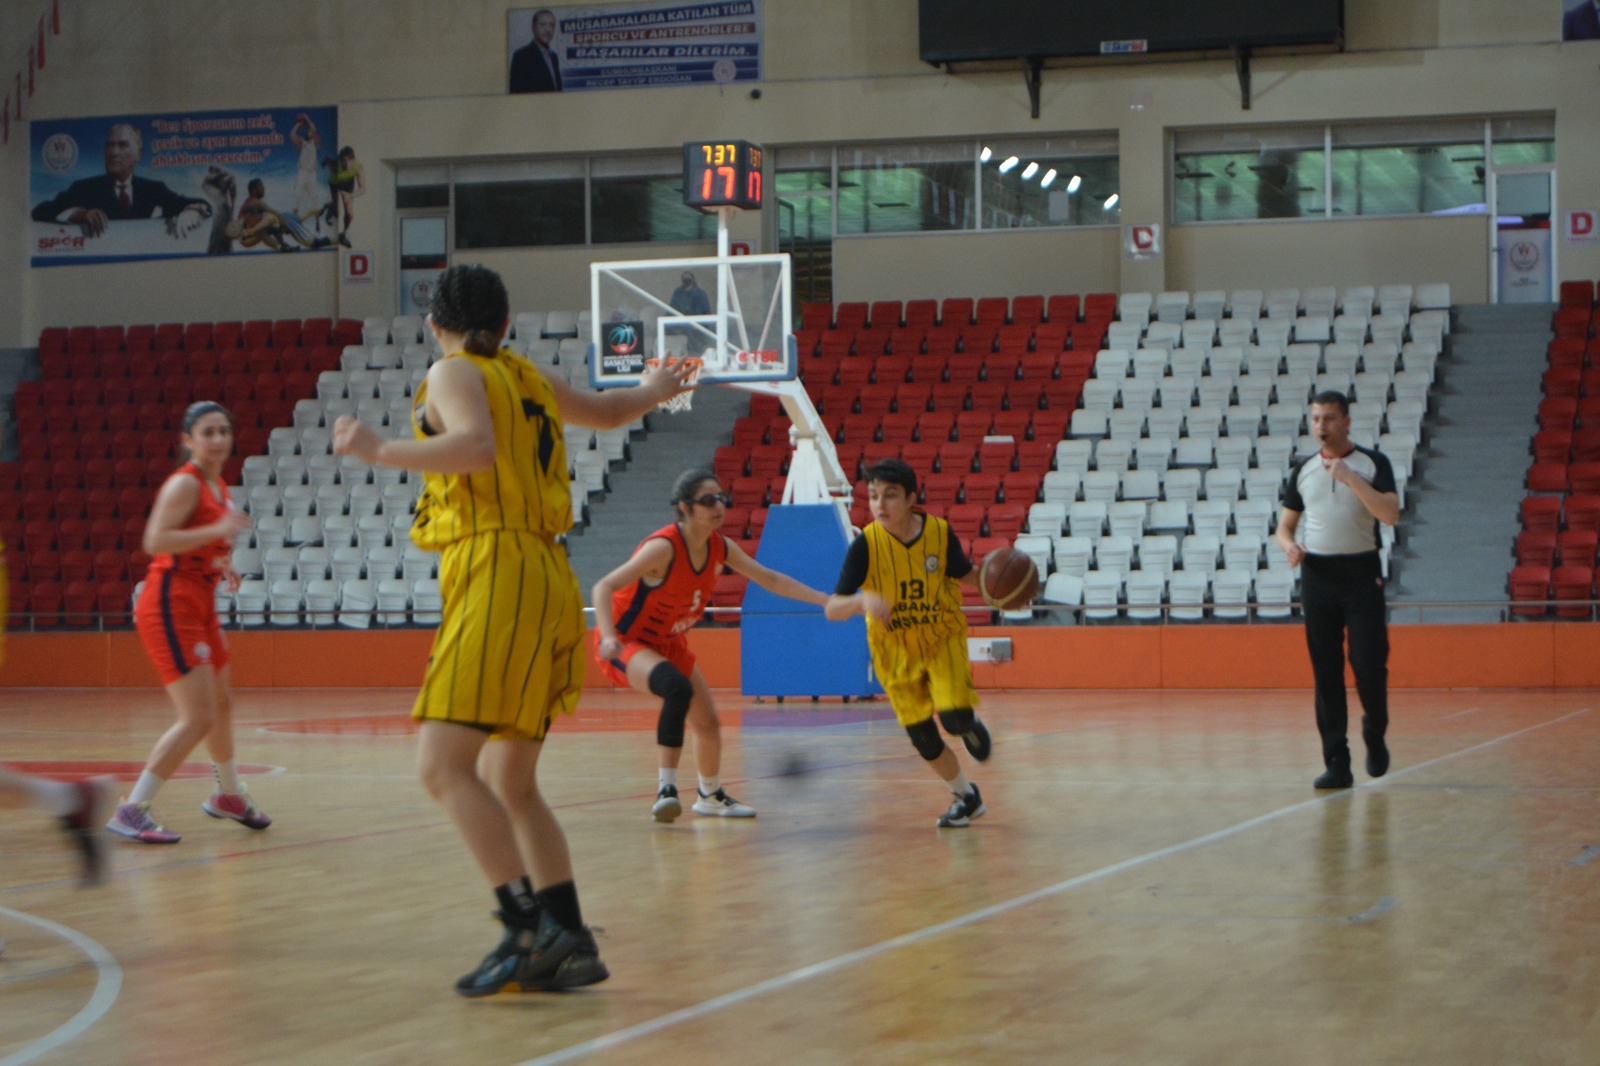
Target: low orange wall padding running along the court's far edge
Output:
[(1514, 655)]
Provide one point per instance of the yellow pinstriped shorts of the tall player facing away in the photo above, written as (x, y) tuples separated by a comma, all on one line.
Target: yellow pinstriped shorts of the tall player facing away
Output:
[(510, 651)]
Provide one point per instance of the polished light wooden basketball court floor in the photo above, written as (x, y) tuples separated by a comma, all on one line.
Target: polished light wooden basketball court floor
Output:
[(1154, 883)]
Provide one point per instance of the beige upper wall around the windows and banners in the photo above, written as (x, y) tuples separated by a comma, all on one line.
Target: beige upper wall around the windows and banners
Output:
[(414, 86)]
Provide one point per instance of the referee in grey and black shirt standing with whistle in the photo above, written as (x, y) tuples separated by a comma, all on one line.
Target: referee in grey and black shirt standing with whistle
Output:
[(1343, 492)]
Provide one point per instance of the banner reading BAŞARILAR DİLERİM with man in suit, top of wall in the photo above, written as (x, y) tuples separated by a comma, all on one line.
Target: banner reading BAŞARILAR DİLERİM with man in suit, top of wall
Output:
[(633, 46)]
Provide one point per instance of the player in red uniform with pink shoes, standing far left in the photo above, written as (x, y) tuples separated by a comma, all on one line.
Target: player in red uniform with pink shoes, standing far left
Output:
[(191, 540)]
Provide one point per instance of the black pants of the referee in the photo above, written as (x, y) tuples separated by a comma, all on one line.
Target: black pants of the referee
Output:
[(1346, 595)]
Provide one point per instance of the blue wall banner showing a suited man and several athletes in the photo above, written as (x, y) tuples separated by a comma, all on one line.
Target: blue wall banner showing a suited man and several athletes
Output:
[(180, 185)]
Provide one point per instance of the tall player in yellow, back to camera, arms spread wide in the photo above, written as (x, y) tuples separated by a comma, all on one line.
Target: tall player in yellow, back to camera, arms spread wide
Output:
[(508, 655)]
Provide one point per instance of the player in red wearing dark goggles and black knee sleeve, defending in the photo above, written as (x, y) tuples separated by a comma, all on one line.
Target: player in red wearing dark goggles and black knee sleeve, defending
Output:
[(646, 607)]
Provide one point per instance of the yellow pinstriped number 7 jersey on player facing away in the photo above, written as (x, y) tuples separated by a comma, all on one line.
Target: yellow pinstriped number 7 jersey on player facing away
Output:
[(527, 489)]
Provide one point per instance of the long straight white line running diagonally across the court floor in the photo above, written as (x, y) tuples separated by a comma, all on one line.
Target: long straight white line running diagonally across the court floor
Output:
[(839, 963)]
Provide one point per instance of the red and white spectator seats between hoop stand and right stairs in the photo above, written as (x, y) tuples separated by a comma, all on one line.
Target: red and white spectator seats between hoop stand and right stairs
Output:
[(1162, 457)]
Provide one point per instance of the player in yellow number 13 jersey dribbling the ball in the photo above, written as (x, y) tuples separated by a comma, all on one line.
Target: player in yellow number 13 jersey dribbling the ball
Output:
[(903, 575)]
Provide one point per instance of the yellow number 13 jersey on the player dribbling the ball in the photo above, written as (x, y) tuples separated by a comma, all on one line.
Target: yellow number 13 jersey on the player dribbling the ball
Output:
[(926, 603)]
